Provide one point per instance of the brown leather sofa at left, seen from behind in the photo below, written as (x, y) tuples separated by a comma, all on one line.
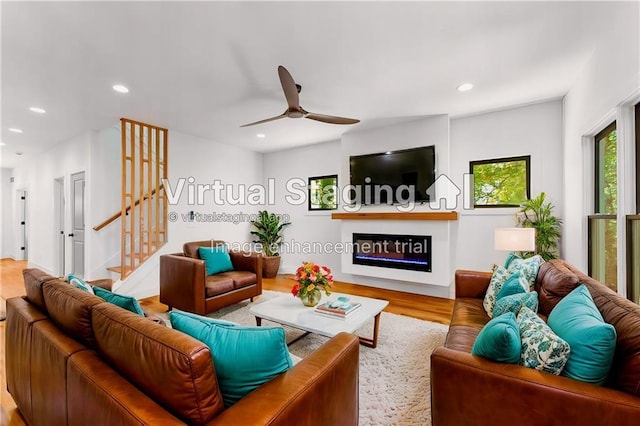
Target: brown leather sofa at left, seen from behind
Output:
[(73, 359)]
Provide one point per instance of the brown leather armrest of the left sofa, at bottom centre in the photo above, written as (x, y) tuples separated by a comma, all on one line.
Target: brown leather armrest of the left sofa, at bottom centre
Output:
[(321, 389)]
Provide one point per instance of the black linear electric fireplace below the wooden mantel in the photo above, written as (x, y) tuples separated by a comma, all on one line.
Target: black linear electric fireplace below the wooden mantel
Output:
[(411, 252)]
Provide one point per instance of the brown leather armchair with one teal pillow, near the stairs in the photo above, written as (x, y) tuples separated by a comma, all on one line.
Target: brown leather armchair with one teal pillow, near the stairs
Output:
[(184, 283)]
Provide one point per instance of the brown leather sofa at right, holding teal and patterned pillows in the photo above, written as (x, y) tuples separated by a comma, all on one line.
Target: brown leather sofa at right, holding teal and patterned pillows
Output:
[(471, 390)]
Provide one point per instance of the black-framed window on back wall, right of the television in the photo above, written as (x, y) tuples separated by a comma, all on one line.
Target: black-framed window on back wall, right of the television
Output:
[(502, 182)]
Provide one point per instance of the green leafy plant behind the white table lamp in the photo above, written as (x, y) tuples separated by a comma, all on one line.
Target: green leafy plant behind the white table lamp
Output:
[(538, 213)]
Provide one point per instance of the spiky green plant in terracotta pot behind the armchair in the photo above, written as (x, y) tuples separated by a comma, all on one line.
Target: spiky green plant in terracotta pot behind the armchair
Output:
[(268, 233)]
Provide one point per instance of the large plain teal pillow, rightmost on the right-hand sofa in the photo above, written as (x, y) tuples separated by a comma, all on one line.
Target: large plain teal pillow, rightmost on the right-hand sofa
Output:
[(593, 342)]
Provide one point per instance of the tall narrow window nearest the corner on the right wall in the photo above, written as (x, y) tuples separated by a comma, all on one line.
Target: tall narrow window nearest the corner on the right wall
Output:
[(603, 234)]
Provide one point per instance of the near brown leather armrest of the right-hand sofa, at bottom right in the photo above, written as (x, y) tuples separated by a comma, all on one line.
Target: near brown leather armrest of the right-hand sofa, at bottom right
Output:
[(467, 389)]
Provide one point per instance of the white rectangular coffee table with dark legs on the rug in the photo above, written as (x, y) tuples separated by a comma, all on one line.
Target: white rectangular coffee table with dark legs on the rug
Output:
[(289, 310)]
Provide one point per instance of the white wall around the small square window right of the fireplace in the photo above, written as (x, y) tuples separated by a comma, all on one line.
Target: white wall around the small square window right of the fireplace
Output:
[(534, 130)]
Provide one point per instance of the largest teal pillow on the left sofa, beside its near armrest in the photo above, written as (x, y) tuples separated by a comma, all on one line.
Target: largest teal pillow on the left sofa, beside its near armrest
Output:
[(244, 357)]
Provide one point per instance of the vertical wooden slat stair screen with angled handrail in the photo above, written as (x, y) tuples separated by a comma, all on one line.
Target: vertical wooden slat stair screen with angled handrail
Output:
[(143, 214)]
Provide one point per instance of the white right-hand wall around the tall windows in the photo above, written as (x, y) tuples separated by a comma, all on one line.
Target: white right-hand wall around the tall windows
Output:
[(609, 78)]
